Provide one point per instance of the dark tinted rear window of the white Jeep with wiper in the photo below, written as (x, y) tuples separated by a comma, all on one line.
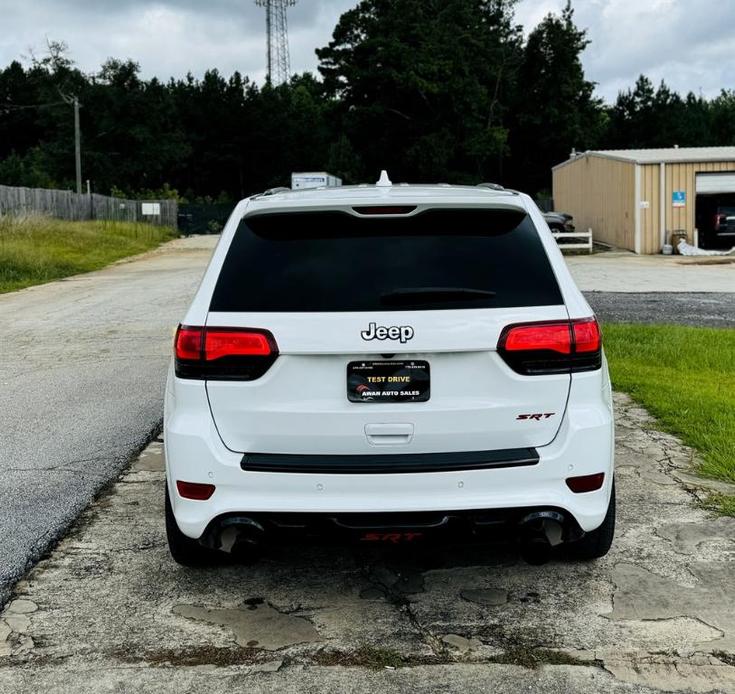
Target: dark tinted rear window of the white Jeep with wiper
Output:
[(334, 261)]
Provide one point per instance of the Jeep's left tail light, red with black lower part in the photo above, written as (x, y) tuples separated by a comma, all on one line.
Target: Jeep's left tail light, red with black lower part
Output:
[(223, 353)]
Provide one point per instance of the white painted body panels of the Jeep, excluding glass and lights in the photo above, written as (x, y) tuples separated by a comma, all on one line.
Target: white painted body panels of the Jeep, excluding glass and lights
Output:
[(475, 405)]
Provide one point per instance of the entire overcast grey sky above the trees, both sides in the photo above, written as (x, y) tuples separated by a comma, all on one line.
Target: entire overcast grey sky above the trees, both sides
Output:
[(689, 43)]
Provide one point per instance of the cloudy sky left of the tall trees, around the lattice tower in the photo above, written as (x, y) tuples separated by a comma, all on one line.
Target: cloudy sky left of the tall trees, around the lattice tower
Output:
[(168, 37)]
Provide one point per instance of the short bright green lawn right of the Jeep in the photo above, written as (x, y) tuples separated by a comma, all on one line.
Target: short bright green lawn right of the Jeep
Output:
[(685, 377)]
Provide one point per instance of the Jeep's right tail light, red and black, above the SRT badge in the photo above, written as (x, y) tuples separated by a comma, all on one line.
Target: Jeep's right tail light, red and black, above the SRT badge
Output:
[(552, 347)]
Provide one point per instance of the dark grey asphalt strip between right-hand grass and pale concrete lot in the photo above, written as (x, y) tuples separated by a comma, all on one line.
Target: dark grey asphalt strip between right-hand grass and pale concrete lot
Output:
[(715, 309)]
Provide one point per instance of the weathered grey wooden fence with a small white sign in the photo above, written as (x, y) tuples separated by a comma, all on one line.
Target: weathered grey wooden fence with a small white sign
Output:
[(78, 207)]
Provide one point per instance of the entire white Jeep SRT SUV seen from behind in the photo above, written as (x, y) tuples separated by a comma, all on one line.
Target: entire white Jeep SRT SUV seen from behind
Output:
[(388, 363)]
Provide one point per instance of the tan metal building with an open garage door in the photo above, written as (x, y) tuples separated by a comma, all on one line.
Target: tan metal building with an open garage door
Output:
[(635, 198)]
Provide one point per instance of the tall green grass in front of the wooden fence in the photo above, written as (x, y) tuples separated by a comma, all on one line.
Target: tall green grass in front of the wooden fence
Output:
[(39, 249)]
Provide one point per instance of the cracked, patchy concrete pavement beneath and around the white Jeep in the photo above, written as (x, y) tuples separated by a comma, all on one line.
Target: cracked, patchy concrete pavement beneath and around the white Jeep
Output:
[(109, 611)]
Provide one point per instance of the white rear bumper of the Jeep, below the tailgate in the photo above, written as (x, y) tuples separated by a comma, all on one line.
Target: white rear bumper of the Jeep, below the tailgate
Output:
[(583, 445)]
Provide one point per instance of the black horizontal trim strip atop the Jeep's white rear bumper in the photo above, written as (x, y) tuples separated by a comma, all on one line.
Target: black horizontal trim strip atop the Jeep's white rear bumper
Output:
[(390, 463)]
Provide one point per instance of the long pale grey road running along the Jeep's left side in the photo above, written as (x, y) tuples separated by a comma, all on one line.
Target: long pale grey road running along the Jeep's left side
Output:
[(81, 389)]
